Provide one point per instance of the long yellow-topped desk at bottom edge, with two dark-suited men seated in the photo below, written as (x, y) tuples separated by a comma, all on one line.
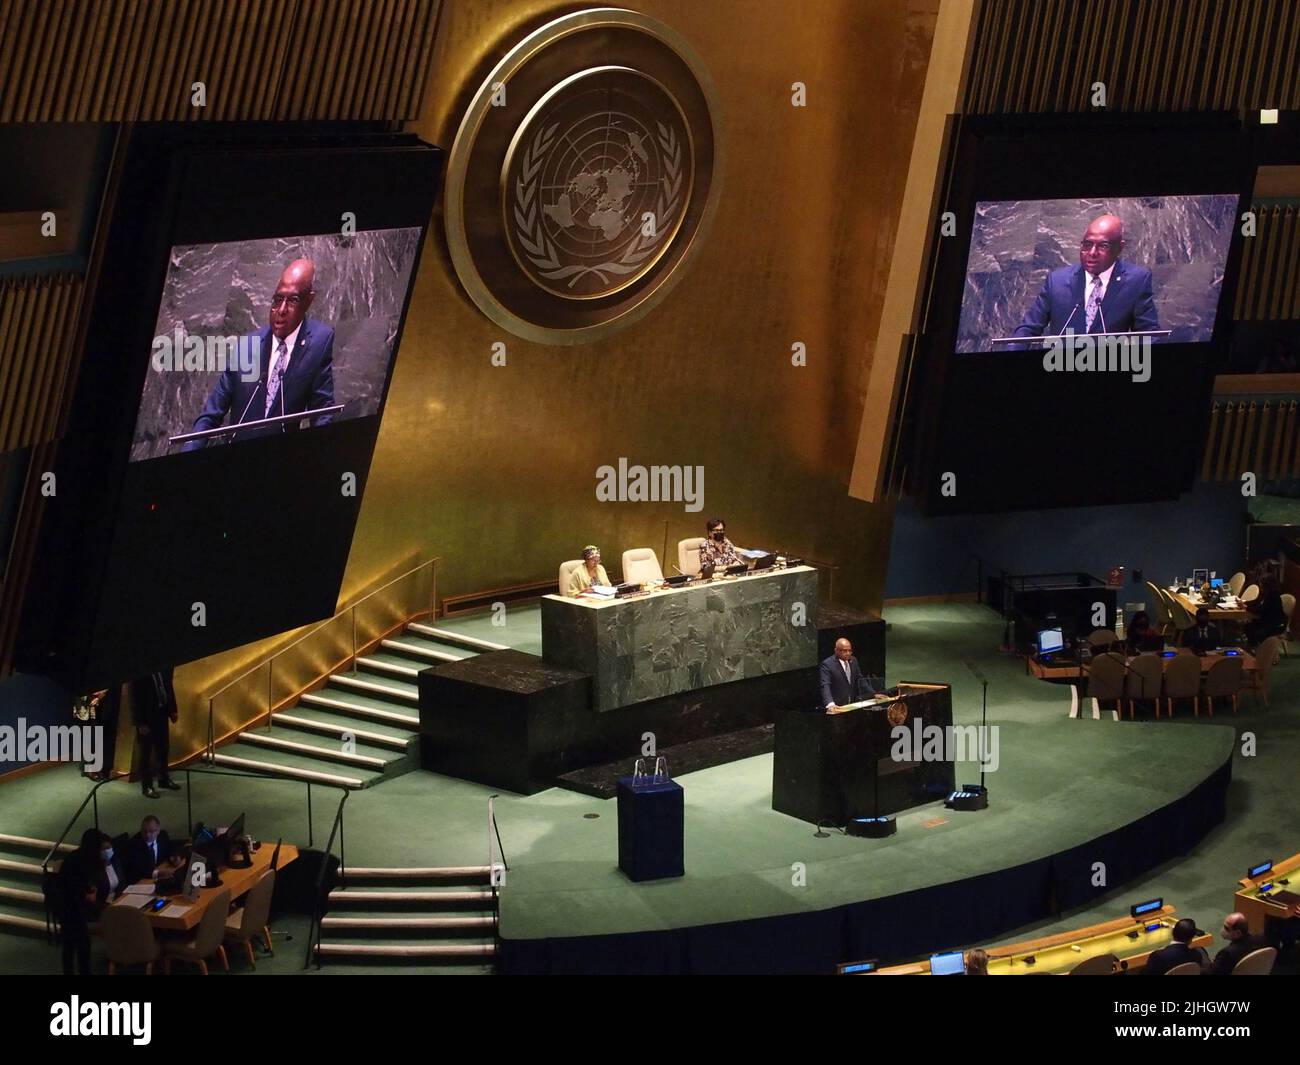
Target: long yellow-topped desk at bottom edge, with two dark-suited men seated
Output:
[(1056, 955)]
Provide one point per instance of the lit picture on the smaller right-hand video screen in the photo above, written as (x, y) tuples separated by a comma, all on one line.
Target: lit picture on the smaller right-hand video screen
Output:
[(1151, 266)]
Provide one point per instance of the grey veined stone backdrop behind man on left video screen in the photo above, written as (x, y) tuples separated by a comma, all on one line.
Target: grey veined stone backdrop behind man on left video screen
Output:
[(226, 291)]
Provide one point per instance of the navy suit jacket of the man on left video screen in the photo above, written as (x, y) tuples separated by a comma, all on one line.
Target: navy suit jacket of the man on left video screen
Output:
[(307, 386)]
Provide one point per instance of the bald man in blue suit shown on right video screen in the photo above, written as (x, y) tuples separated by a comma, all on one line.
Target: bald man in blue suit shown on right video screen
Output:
[(1103, 295)]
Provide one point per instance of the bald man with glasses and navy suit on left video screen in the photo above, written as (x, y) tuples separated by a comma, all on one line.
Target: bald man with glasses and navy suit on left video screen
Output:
[(298, 365)]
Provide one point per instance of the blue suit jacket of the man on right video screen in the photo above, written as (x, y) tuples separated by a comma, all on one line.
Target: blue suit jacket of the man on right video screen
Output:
[(1126, 308)]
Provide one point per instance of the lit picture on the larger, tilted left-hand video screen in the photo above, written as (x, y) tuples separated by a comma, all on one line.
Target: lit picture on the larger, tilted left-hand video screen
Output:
[(275, 335)]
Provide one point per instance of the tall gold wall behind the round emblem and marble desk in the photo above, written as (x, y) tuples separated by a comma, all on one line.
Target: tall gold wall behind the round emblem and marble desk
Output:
[(493, 469)]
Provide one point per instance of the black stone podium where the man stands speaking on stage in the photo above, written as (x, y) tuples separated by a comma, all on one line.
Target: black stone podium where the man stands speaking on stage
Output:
[(830, 768)]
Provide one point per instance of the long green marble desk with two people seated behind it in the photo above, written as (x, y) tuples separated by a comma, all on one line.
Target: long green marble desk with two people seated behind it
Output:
[(681, 639)]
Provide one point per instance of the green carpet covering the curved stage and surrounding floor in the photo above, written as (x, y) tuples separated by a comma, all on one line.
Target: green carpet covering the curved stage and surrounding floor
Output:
[(1059, 782)]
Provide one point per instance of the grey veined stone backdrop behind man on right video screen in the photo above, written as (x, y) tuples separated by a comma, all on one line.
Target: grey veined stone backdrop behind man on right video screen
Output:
[(1184, 241)]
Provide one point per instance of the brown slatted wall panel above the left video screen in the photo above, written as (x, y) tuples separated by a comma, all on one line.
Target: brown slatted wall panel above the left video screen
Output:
[(137, 60)]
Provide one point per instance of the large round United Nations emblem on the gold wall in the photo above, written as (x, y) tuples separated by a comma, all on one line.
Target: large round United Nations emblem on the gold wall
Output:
[(577, 191)]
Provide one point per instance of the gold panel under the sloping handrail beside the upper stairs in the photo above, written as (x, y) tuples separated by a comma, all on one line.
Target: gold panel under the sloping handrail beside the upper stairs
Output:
[(327, 650)]
